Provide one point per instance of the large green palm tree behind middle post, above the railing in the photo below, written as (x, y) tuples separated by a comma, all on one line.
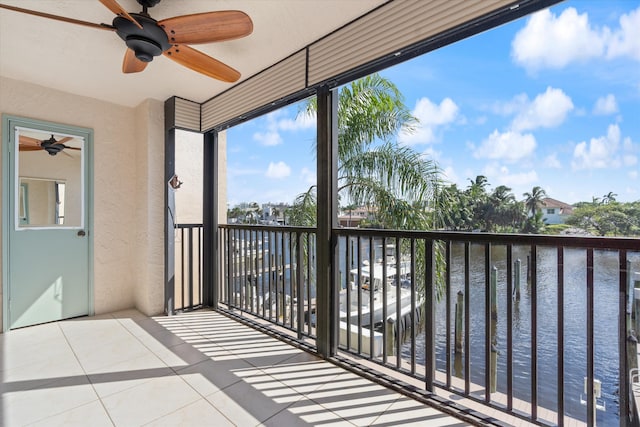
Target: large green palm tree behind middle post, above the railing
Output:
[(373, 169)]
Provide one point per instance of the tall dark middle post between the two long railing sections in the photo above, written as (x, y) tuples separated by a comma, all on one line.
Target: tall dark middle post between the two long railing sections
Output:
[(327, 205)]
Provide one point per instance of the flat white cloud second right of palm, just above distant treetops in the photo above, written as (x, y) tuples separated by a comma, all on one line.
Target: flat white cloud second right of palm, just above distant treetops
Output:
[(507, 146)]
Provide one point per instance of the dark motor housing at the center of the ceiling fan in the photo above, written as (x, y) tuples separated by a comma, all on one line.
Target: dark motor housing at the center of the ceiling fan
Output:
[(147, 42)]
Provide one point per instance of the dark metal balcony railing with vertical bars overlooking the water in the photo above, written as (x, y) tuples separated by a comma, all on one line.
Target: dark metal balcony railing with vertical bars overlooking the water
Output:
[(539, 327)]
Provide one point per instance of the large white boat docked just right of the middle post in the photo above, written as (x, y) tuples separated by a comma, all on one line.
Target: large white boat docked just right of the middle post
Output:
[(350, 309)]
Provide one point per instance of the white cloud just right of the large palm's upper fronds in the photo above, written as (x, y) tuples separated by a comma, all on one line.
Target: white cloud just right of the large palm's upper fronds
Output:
[(431, 116)]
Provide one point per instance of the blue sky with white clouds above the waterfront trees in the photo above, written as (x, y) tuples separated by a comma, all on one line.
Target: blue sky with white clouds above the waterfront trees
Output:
[(551, 100)]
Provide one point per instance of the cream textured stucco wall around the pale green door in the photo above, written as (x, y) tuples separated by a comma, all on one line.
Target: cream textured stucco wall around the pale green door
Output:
[(128, 189)]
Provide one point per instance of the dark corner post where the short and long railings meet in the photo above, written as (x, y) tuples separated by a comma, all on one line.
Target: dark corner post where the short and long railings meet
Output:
[(210, 219)]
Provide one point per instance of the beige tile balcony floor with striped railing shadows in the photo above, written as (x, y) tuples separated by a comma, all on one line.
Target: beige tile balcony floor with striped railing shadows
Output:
[(197, 369)]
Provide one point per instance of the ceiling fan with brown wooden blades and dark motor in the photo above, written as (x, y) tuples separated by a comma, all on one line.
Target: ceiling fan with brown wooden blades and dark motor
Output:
[(147, 38)]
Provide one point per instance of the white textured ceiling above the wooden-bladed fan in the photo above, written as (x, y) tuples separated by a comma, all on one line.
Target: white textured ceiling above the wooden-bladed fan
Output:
[(88, 61)]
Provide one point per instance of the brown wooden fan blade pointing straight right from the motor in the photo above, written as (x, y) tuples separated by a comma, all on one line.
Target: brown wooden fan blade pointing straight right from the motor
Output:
[(207, 27)]
